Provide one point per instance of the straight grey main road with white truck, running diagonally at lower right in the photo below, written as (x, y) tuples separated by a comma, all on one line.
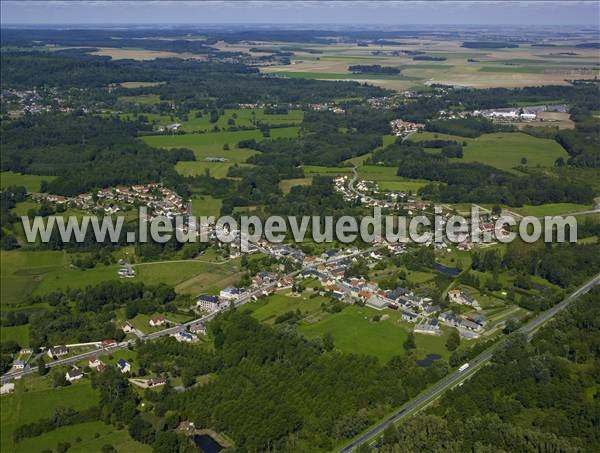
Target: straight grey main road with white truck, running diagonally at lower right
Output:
[(474, 365)]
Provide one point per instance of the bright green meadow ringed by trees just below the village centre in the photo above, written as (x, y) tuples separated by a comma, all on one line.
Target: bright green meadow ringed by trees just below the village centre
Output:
[(354, 331)]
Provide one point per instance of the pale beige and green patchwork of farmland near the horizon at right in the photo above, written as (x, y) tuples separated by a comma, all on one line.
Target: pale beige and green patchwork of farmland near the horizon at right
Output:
[(478, 68)]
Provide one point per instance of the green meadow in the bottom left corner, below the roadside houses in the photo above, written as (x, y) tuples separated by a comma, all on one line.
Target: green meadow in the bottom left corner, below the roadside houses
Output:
[(33, 399)]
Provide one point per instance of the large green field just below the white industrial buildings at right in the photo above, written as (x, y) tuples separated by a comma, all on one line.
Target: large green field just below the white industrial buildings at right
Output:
[(503, 150)]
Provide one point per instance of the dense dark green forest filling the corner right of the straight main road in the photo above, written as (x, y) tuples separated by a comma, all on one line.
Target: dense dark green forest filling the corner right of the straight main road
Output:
[(539, 396)]
